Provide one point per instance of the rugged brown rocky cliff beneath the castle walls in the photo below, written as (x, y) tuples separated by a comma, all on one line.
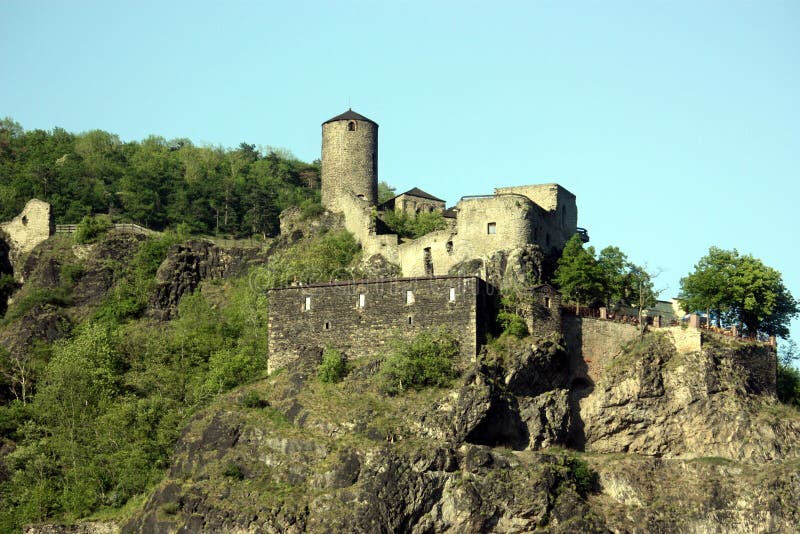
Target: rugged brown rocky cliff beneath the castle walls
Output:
[(291, 455)]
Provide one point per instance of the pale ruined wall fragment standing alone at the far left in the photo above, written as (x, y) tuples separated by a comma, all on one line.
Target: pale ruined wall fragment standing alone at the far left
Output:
[(25, 231)]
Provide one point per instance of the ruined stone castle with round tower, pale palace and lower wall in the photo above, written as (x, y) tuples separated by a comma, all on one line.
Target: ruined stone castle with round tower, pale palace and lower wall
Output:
[(444, 274)]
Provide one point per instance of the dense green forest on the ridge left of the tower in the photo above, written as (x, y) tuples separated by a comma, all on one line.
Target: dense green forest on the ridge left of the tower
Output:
[(155, 182)]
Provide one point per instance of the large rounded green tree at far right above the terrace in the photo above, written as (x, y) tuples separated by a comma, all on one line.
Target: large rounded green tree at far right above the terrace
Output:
[(740, 290)]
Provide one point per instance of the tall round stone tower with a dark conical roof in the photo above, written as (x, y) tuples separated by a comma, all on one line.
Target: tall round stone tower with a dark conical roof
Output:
[(349, 159)]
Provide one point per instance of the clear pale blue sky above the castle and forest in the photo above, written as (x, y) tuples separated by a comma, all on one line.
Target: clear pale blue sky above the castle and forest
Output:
[(676, 124)]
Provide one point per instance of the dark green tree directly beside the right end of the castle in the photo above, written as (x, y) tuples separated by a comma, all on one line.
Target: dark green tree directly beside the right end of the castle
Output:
[(578, 274)]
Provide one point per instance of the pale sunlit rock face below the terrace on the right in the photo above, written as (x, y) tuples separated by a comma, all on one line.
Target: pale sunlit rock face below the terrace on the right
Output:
[(666, 404)]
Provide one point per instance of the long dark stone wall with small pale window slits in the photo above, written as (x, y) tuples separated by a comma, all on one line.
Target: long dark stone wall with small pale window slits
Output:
[(360, 318)]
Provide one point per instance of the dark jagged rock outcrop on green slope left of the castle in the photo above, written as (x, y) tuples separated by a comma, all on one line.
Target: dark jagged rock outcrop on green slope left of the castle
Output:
[(189, 264)]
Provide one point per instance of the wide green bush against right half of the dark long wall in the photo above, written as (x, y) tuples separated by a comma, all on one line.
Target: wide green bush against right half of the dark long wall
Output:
[(427, 360)]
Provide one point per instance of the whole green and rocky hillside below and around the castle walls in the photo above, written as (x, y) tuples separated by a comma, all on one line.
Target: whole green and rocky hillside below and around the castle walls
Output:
[(151, 411)]
